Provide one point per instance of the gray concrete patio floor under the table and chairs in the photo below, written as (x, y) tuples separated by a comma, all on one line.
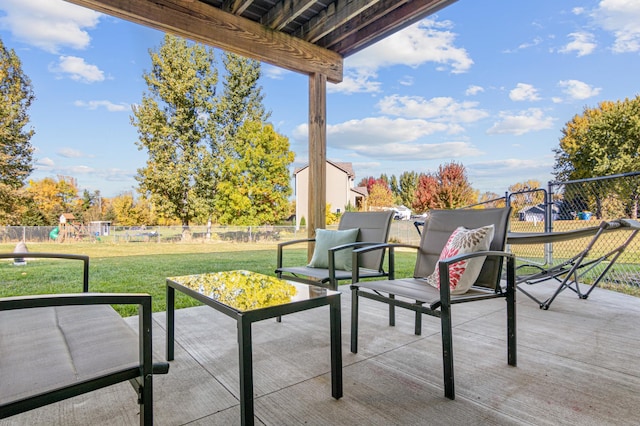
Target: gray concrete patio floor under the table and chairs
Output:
[(578, 363)]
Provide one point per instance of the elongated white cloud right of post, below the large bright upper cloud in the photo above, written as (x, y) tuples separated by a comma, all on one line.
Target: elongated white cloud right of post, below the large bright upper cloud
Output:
[(440, 109)]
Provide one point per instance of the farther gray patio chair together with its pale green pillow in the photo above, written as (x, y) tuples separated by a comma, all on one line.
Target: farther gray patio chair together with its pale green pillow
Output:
[(373, 228)]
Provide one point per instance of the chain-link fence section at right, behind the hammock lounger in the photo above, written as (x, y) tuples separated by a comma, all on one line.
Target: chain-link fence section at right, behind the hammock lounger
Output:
[(570, 205)]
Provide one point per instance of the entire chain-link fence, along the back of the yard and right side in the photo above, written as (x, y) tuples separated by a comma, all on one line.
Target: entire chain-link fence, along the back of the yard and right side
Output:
[(562, 206)]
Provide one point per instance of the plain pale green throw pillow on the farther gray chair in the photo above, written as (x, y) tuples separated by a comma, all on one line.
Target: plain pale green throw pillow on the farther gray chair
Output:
[(326, 239)]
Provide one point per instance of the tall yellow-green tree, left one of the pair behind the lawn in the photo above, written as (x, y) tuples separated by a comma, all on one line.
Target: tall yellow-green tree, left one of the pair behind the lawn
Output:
[(174, 127)]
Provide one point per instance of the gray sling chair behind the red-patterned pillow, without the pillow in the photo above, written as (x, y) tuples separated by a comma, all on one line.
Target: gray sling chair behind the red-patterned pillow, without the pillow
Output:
[(422, 298)]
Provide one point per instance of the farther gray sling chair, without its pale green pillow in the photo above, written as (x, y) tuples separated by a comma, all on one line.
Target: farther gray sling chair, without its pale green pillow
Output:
[(373, 229)]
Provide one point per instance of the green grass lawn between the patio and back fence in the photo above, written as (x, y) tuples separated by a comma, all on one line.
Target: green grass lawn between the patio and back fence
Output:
[(143, 267)]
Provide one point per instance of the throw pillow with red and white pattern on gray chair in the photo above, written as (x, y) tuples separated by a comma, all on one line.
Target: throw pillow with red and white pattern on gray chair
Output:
[(463, 274)]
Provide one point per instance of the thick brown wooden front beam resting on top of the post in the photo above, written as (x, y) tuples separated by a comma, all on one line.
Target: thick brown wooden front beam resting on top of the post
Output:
[(209, 25)]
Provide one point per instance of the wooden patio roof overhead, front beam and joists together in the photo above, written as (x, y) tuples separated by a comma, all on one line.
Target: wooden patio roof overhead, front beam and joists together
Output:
[(307, 36)]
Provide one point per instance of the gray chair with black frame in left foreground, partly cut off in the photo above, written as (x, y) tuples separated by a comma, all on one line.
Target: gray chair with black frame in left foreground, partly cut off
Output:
[(56, 346)]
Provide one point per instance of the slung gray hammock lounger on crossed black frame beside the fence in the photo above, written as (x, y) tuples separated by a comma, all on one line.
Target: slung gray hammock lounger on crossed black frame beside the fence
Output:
[(570, 272)]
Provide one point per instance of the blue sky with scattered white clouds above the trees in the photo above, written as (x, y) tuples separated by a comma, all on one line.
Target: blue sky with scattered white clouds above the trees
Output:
[(489, 84)]
